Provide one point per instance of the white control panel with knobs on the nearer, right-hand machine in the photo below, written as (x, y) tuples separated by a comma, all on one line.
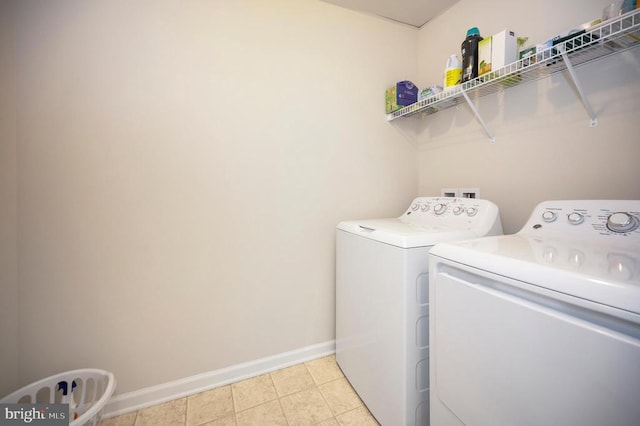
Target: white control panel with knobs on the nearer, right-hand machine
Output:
[(588, 218)]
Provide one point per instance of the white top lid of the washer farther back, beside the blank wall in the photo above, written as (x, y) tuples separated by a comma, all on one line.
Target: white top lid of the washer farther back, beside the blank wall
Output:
[(402, 234)]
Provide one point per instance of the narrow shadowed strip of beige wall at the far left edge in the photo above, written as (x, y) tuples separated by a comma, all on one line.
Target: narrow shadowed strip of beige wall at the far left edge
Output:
[(8, 204)]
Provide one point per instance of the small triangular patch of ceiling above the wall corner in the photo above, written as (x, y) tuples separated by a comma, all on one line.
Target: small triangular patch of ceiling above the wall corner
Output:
[(412, 12)]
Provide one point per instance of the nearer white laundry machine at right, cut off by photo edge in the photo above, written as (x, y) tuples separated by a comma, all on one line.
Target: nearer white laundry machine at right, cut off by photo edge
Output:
[(541, 327)]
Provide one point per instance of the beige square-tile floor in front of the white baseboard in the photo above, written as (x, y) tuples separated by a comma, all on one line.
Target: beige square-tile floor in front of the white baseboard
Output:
[(312, 393)]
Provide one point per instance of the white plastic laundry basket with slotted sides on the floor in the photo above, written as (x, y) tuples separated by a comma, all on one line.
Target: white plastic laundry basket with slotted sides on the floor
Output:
[(86, 391)]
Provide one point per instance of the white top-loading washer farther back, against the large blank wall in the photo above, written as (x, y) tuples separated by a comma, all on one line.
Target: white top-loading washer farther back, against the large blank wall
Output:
[(382, 305)]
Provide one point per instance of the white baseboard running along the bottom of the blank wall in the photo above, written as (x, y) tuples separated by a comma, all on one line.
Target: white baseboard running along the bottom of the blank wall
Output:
[(146, 397)]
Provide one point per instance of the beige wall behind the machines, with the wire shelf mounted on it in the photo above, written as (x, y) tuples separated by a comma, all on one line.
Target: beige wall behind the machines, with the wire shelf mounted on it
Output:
[(544, 146)]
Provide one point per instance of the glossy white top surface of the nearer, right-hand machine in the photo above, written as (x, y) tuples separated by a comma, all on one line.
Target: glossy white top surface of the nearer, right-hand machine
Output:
[(601, 273)]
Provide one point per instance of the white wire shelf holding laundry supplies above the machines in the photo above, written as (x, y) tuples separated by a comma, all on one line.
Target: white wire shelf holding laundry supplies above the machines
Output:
[(609, 37)]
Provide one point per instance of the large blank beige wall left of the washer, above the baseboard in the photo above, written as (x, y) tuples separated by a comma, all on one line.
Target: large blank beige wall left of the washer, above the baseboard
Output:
[(182, 169)]
